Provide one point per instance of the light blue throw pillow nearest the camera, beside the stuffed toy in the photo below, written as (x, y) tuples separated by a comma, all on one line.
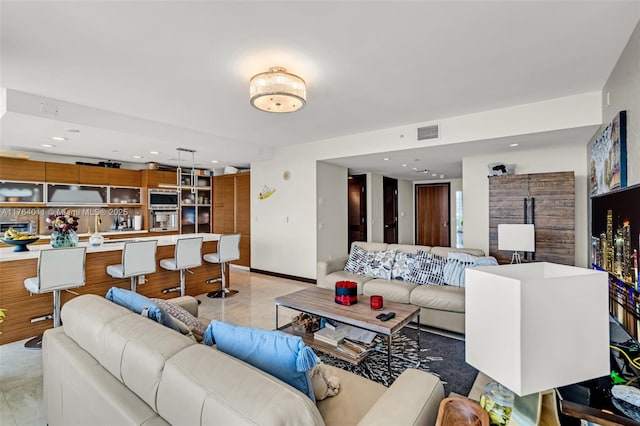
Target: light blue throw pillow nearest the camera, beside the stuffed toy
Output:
[(279, 354)]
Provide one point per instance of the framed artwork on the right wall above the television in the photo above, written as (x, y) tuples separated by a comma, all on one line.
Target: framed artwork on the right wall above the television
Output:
[(609, 157)]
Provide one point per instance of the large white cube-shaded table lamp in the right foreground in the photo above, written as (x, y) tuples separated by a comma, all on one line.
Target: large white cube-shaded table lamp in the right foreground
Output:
[(533, 327)]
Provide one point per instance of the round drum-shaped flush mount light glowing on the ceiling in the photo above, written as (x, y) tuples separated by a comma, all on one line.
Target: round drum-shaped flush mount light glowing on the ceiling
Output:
[(277, 91)]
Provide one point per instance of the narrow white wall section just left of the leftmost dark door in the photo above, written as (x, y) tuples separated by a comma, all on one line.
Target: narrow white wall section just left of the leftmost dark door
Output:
[(331, 192)]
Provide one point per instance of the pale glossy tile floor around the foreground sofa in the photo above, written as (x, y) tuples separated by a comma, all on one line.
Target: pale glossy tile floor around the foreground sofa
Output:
[(21, 369)]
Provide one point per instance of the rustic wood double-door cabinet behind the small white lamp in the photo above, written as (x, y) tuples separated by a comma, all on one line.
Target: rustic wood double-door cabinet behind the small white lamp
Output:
[(545, 199)]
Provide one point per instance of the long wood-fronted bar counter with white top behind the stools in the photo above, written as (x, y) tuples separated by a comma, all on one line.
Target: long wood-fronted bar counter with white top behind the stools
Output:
[(21, 307)]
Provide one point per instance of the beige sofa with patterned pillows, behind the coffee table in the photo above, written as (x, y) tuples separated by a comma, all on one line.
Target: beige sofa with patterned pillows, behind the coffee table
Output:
[(441, 306)]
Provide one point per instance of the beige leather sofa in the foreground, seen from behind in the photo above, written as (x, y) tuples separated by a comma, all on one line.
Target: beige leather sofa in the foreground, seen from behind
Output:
[(109, 366)]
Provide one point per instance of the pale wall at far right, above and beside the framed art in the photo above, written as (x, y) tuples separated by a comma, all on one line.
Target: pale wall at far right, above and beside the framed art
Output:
[(623, 87)]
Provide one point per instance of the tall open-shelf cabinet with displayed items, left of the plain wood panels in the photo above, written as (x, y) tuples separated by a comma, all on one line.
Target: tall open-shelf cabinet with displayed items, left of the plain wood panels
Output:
[(195, 203)]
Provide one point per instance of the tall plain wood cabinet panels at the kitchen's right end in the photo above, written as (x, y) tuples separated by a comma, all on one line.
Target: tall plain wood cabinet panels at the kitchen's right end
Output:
[(232, 212)]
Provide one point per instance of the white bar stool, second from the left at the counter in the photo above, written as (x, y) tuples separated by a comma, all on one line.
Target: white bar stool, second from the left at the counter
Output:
[(138, 259)]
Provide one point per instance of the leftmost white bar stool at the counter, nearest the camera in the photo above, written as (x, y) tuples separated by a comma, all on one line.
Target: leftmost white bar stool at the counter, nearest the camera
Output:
[(58, 269)]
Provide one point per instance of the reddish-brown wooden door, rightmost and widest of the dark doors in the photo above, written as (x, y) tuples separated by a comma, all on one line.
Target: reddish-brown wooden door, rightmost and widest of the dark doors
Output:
[(432, 215)]
